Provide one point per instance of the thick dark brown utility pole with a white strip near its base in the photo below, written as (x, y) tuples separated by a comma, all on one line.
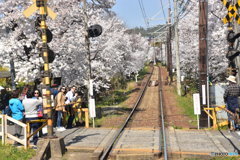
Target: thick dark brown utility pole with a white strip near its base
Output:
[(203, 52)]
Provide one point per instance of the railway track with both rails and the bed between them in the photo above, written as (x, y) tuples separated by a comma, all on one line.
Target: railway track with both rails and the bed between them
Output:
[(146, 118)]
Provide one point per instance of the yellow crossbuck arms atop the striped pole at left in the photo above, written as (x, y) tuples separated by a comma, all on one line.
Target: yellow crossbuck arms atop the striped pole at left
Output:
[(33, 8)]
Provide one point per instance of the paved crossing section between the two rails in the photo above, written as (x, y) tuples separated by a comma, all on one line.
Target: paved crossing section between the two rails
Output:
[(138, 143)]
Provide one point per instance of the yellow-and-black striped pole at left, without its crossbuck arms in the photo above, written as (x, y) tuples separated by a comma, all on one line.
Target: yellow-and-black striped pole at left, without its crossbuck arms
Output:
[(46, 80)]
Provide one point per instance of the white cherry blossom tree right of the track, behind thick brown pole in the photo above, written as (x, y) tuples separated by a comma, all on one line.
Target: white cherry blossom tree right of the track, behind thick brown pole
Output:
[(189, 40)]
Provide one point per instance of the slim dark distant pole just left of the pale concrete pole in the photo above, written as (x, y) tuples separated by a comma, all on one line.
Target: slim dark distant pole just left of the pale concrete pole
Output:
[(169, 45)]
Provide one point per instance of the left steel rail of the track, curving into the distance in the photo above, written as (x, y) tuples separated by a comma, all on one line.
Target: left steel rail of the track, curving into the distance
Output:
[(119, 132)]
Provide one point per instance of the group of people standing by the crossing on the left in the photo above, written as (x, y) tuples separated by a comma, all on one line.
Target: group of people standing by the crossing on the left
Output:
[(30, 107)]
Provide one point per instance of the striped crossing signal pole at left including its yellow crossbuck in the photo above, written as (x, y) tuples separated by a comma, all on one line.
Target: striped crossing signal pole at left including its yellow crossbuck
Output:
[(41, 5)]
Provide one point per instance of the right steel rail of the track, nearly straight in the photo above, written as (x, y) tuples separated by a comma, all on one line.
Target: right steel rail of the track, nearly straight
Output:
[(162, 117)]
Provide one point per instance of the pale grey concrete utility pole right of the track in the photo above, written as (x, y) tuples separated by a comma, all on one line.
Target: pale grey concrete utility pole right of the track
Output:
[(177, 47)]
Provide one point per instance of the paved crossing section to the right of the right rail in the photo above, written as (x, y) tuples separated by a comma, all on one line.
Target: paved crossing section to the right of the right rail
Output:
[(201, 143)]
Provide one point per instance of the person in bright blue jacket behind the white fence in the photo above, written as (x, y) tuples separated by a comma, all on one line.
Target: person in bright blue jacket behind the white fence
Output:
[(17, 112)]
